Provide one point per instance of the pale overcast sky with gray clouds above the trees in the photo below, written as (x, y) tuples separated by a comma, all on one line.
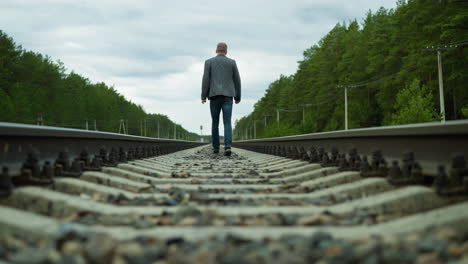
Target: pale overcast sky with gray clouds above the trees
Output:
[(153, 51)]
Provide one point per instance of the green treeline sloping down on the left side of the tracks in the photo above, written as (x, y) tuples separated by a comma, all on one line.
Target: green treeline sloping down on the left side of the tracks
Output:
[(36, 90)]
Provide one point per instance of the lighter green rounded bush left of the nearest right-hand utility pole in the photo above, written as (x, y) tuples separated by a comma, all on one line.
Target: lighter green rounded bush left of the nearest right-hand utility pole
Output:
[(414, 104)]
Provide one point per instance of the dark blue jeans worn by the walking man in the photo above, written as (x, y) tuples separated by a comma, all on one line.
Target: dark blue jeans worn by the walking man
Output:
[(218, 103)]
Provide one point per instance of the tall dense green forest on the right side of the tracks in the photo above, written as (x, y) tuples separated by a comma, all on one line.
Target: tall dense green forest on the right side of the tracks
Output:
[(390, 75)]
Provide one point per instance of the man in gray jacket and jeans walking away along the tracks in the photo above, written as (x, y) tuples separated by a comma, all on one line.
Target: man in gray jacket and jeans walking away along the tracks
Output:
[(221, 83)]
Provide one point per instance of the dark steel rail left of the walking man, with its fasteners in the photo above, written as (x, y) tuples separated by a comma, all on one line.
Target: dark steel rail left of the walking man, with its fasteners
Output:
[(37, 148)]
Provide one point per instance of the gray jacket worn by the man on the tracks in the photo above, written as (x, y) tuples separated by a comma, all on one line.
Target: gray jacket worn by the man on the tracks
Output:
[(221, 77)]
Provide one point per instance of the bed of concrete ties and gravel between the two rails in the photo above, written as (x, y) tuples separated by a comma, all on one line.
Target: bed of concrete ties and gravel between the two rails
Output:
[(196, 206)]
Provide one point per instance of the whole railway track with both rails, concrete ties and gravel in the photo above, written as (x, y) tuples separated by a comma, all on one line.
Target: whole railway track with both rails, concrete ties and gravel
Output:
[(388, 195)]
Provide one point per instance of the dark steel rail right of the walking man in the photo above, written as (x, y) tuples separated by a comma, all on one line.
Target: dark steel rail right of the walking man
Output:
[(431, 145)]
